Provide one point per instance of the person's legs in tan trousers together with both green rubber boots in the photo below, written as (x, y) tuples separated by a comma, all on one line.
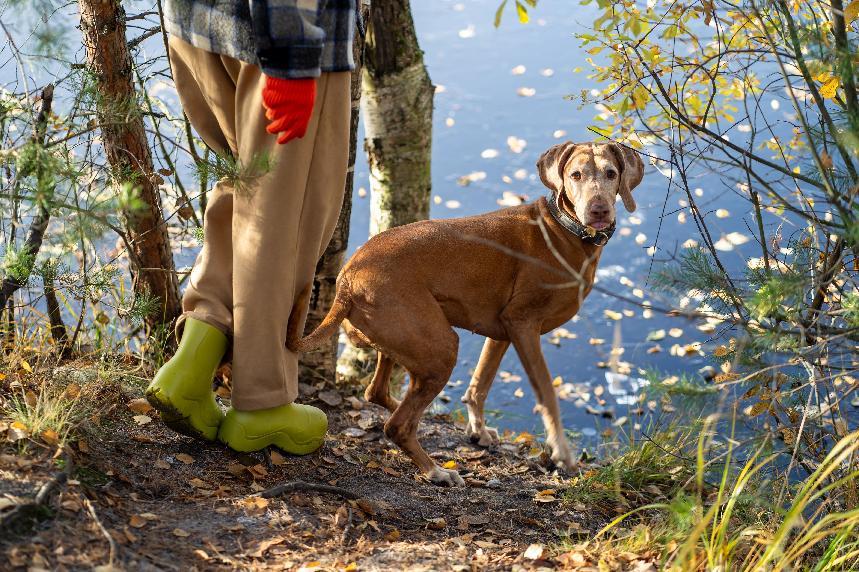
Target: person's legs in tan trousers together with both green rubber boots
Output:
[(264, 232)]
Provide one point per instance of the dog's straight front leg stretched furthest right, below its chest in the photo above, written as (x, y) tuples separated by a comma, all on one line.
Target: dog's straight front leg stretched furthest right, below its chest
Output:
[(526, 339)]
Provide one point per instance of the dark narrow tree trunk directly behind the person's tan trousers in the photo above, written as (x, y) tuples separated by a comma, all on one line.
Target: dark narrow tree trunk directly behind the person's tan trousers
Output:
[(321, 364)]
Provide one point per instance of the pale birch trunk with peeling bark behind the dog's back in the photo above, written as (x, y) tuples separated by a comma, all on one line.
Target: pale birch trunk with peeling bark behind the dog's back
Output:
[(397, 104)]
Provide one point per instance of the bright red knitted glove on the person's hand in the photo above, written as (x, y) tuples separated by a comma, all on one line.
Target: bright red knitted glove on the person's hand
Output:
[(288, 104)]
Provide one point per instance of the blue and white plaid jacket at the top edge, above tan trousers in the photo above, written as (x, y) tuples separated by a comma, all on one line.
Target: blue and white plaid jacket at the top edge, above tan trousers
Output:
[(286, 38)]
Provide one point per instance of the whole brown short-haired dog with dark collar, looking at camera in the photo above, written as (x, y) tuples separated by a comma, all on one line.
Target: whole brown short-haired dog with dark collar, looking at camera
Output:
[(509, 275)]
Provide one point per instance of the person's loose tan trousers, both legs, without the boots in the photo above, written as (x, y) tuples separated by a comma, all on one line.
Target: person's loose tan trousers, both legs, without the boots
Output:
[(263, 236)]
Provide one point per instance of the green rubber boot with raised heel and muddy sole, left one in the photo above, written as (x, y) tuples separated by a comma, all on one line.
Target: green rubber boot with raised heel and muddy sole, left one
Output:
[(182, 388)]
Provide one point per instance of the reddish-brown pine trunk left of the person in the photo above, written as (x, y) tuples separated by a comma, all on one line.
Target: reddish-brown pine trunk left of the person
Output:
[(127, 151)]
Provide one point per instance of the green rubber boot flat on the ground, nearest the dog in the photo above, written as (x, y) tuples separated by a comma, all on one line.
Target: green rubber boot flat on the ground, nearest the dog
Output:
[(294, 428)]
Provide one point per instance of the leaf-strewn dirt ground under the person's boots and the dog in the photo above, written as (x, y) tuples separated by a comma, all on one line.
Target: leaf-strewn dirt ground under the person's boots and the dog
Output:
[(140, 497)]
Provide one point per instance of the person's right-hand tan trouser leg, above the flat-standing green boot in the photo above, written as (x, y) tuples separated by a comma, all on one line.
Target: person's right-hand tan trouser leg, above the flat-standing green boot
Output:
[(282, 222)]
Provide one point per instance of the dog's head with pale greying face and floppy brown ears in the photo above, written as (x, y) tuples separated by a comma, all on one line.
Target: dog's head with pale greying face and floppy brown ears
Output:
[(587, 177)]
